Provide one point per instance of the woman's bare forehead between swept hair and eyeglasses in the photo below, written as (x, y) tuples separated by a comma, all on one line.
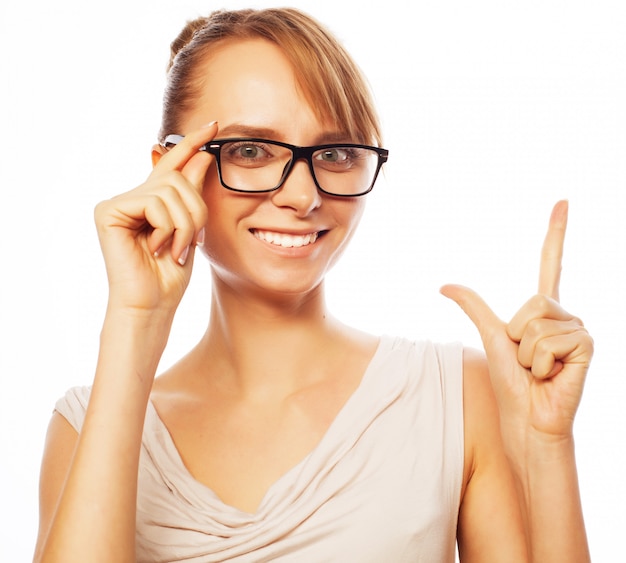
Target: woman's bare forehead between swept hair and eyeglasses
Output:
[(252, 82)]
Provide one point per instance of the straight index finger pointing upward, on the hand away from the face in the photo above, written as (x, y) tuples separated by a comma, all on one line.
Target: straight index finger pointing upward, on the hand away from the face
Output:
[(552, 252)]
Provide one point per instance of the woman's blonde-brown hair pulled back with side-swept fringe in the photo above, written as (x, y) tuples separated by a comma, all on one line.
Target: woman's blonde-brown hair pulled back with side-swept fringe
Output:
[(325, 72)]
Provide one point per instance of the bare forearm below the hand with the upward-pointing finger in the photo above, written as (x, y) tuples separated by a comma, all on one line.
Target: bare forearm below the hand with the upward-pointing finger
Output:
[(550, 499)]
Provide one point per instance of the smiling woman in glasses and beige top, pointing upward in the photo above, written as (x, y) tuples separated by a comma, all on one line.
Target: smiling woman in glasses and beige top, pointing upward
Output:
[(285, 434)]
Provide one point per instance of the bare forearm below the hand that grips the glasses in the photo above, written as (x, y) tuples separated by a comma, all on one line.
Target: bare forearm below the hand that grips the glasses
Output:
[(95, 516)]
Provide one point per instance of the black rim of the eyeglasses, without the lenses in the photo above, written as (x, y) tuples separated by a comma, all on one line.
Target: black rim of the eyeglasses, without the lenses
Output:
[(298, 153)]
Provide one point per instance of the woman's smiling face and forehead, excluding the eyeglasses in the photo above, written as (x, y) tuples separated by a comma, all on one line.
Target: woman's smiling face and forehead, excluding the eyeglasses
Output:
[(250, 89)]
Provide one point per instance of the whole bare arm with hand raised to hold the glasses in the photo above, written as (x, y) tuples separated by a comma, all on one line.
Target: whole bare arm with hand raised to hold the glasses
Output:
[(147, 237)]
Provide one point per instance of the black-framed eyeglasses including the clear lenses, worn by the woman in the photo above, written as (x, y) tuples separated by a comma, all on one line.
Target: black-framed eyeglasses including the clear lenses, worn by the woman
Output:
[(259, 165)]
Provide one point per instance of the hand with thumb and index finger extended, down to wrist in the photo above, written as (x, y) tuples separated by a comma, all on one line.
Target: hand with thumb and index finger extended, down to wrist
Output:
[(539, 360)]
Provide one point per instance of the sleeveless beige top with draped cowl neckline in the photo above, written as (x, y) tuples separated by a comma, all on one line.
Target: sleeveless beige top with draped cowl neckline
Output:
[(383, 484)]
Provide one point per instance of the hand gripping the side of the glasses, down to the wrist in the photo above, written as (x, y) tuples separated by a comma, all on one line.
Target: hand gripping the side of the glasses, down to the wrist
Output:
[(148, 234)]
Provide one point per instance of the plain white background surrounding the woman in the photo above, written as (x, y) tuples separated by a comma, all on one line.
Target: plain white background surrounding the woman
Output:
[(492, 111)]
